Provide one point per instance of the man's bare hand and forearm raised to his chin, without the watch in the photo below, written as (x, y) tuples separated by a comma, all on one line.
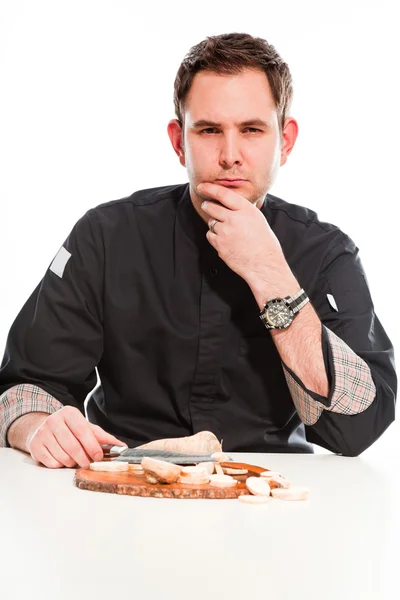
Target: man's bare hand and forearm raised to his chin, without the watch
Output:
[(245, 241)]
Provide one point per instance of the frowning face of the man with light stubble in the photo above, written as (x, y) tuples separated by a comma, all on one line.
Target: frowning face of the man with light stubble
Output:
[(231, 132)]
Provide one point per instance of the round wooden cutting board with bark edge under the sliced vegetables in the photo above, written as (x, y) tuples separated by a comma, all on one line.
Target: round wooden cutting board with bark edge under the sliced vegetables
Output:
[(132, 484)]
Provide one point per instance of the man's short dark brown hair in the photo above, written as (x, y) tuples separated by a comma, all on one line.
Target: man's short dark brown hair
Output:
[(231, 53)]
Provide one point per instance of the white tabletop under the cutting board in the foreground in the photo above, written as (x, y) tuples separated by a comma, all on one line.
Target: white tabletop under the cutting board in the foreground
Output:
[(59, 542)]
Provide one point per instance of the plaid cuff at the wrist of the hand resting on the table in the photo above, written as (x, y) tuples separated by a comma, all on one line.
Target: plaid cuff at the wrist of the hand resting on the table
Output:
[(20, 400)]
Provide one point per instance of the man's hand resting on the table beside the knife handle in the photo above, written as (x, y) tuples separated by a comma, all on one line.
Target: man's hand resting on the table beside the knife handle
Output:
[(64, 439)]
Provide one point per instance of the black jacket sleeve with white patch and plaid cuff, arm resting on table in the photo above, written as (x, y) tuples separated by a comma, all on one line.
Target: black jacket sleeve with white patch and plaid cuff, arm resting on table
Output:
[(56, 341)]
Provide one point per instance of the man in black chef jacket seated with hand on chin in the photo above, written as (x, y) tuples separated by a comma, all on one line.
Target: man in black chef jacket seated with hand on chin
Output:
[(174, 295)]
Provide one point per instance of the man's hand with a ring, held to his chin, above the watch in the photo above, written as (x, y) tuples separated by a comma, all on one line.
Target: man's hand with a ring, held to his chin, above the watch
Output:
[(245, 241)]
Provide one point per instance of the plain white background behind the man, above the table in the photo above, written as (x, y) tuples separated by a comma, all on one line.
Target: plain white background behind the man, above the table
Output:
[(86, 94)]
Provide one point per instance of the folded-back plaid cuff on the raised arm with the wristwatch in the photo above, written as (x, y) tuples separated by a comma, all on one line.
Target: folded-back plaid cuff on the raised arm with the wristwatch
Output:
[(352, 387)]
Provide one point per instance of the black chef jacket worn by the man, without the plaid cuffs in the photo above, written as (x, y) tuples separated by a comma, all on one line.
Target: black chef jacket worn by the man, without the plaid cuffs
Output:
[(176, 335)]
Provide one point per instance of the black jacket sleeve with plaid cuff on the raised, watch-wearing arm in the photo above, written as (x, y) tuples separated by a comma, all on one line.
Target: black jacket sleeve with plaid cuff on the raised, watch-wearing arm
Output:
[(359, 361)]
